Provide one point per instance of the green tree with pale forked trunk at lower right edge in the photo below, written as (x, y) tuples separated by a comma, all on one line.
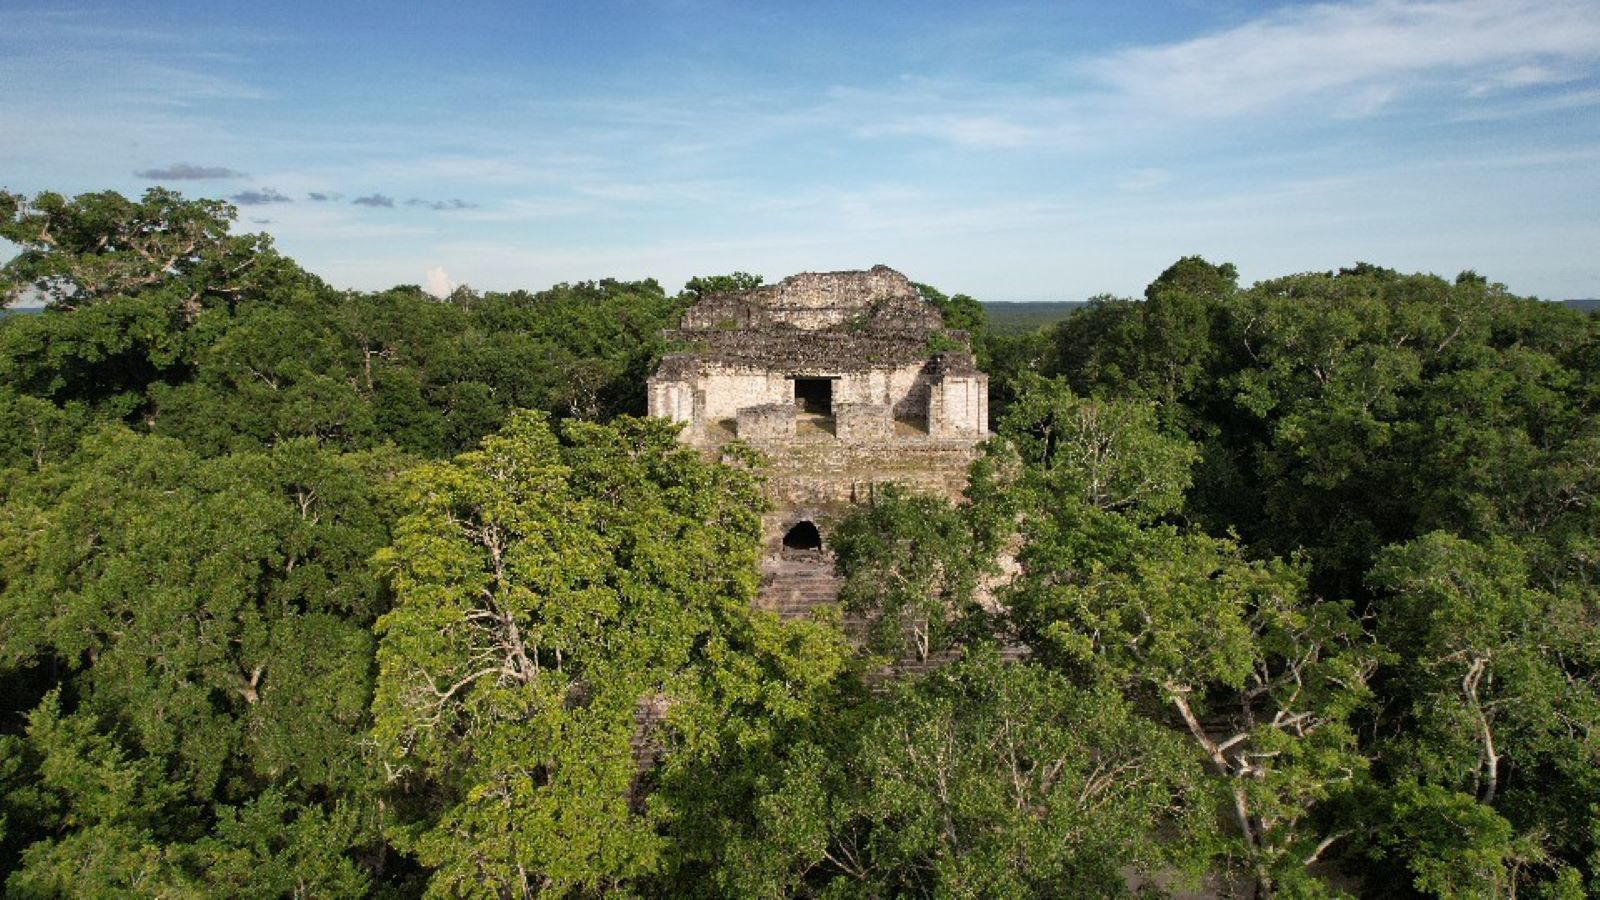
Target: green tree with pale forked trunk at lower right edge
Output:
[(1502, 704)]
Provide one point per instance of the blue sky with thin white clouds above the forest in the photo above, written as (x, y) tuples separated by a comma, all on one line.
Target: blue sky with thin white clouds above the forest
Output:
[(1012, 151)]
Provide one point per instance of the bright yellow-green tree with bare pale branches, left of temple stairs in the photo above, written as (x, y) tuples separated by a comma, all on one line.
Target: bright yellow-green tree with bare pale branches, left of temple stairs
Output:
[(558, 595)]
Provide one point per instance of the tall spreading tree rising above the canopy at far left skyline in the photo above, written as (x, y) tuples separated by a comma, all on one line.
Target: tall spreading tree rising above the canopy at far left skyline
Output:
[(132, 287)]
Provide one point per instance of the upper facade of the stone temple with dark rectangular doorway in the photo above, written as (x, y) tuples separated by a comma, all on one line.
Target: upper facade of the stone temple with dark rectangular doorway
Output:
[(852, 358)]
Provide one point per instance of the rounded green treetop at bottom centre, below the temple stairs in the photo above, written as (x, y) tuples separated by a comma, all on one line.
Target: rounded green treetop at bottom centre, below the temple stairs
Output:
[(982, 781)]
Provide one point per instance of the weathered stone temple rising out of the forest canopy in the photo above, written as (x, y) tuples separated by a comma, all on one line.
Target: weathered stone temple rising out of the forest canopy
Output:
[(844, 382)]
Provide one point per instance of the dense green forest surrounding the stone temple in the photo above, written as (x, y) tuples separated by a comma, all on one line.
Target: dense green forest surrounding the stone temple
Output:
[(330, 593)]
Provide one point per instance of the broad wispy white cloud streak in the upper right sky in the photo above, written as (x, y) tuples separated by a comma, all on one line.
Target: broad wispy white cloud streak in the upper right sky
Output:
[(1324, 62)]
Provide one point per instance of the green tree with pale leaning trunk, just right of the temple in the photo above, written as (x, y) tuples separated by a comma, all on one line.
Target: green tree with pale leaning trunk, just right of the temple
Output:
[(1262, 677)]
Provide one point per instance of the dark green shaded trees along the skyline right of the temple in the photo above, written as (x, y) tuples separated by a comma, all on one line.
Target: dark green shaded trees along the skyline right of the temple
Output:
[(1345, 412)]
